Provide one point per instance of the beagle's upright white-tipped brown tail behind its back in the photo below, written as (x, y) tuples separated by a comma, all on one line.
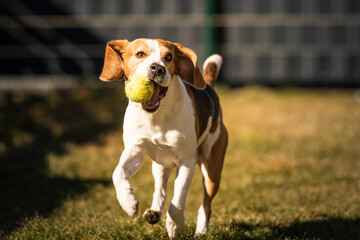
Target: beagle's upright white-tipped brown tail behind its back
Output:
[(211, 69)]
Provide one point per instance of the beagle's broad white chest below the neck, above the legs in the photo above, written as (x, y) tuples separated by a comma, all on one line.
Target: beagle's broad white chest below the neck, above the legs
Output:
[(169, 141)]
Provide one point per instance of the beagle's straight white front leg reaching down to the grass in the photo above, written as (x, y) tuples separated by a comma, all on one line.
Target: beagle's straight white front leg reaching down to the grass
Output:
[(175, 222)]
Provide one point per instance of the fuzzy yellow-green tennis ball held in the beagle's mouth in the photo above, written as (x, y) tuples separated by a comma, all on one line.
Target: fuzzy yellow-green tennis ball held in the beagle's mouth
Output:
[(139, 88)]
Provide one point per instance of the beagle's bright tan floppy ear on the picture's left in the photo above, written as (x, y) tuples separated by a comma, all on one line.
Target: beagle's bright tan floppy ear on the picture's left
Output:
[(114, 63)]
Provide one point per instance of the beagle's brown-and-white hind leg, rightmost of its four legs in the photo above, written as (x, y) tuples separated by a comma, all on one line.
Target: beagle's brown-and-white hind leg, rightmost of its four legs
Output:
[(211, 169)]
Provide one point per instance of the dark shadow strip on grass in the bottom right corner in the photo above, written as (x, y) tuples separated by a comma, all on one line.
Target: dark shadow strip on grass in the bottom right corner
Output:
[(333, 228)]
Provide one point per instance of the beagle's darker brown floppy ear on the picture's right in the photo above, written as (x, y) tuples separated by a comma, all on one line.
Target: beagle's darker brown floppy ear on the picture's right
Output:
[(187, 68)]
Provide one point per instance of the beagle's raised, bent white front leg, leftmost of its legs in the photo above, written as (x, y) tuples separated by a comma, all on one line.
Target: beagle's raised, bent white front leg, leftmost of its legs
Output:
[(130, 162)]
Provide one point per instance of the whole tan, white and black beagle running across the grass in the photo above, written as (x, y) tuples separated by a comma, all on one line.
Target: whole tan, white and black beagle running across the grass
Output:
[(179, 127)]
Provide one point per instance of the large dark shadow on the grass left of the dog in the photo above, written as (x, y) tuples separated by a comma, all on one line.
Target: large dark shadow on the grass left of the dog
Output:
[(32, 126)]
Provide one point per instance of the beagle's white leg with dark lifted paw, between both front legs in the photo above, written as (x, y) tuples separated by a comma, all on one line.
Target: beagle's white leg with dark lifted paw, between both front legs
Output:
[(161, 175)]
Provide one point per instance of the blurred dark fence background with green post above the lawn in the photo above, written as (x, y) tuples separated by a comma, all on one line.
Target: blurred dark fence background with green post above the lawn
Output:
[(54, 43)]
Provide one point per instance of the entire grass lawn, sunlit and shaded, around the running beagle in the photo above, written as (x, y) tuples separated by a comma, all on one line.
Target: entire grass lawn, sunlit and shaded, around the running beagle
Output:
[(292, 169)]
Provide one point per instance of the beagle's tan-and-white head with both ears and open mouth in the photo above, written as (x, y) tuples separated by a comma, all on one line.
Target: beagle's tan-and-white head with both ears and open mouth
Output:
[(159, 60)]
